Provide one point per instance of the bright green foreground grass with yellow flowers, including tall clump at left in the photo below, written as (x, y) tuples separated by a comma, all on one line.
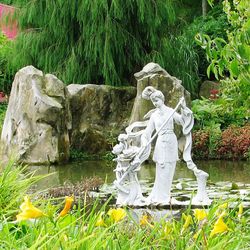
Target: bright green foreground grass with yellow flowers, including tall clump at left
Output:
[(93, 227)]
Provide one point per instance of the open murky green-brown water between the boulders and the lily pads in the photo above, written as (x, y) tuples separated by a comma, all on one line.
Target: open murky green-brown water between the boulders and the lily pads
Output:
[(75, 171)]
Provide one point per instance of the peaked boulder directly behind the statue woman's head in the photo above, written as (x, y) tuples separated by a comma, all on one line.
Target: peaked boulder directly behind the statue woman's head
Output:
[(154, 75)]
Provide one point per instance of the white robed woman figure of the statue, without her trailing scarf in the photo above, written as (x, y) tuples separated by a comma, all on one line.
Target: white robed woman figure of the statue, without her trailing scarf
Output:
[(166, 147)]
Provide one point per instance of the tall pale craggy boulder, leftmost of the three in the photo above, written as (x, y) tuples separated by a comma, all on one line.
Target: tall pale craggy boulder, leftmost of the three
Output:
[(37, 120)]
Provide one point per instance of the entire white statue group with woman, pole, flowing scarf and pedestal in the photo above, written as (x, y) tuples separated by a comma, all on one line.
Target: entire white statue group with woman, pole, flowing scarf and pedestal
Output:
[(134, 148)]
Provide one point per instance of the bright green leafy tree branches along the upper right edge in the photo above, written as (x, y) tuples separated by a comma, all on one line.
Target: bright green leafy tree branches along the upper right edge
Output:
[(229, 61)]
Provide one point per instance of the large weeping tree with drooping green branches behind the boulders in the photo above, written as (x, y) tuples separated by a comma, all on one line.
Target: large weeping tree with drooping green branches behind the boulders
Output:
[(83, 41)]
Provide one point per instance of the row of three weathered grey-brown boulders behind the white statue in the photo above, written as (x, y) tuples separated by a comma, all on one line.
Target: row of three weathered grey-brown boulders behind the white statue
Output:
[(38, 128)]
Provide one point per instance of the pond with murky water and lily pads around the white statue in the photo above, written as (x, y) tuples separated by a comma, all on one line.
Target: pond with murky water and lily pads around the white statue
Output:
[(222, 175)]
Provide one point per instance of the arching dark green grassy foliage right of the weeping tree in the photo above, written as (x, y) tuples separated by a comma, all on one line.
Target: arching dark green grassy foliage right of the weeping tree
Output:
[(182, 57)]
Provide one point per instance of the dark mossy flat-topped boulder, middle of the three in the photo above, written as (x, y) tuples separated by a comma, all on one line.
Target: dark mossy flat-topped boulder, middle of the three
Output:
[(99, 113)]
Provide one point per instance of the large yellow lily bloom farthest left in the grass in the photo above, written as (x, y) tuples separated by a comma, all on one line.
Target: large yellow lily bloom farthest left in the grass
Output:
[(28, 211)]
